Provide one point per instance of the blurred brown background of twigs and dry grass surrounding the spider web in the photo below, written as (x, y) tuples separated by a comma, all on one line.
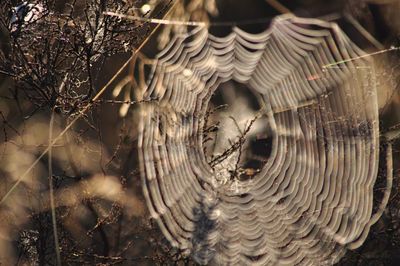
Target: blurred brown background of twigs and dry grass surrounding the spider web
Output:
[(55, 56)]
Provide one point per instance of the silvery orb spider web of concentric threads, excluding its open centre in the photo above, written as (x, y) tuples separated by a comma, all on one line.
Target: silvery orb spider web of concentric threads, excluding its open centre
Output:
[(313, 197)]
